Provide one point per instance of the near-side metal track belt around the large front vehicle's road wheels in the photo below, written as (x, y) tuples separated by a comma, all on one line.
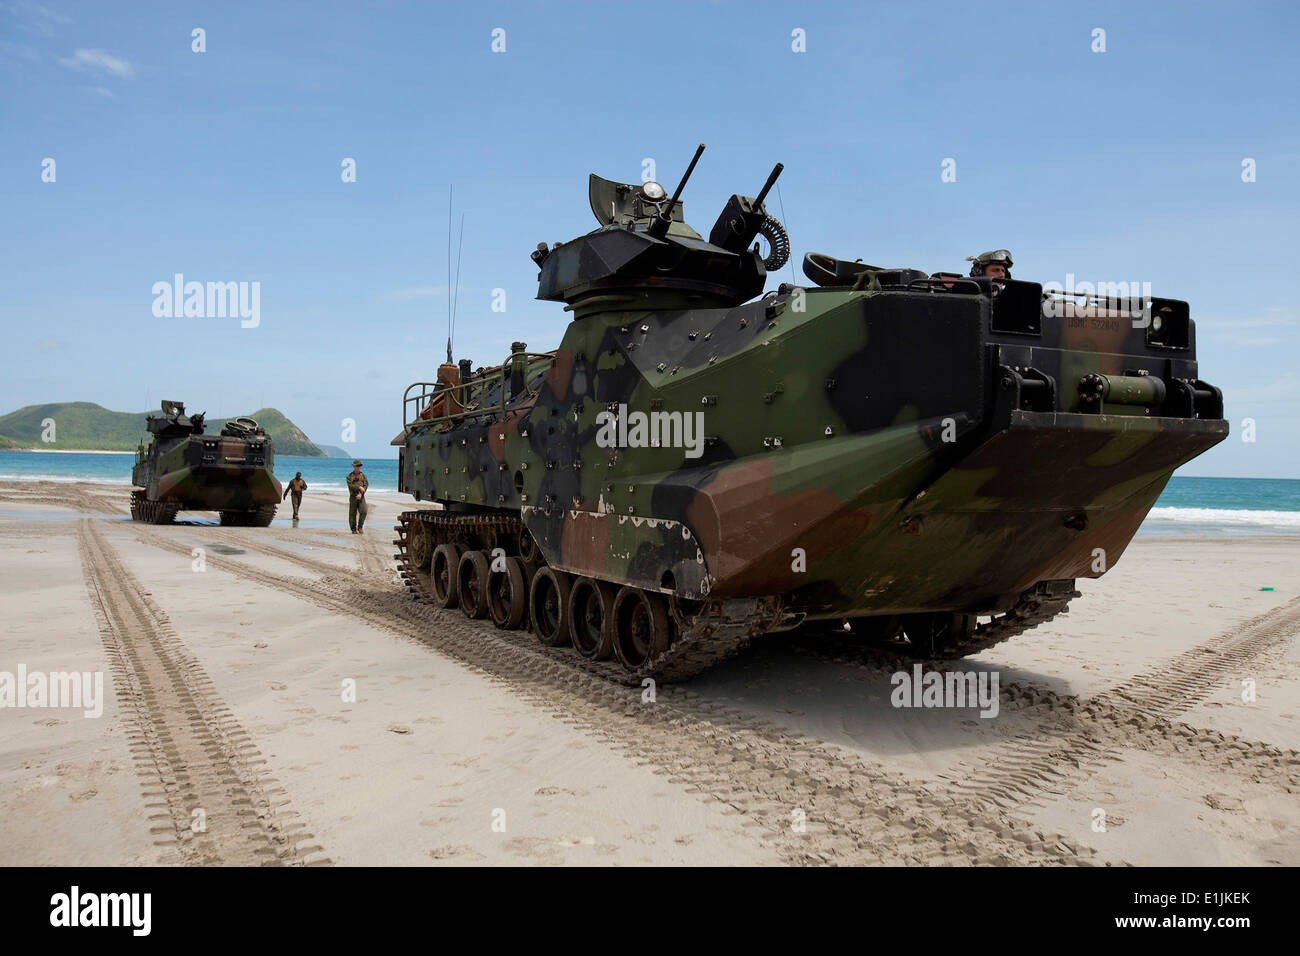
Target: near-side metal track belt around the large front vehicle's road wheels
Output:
[(700, 641)]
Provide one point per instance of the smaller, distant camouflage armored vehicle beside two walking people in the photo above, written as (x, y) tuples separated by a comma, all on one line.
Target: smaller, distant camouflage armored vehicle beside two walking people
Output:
[(187, 469)]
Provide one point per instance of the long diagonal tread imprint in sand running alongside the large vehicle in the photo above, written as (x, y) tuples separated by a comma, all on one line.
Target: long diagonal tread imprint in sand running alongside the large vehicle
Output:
[(856, 812)]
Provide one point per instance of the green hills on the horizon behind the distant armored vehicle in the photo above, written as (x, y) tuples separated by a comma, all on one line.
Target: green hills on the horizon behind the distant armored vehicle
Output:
[(90, 427)]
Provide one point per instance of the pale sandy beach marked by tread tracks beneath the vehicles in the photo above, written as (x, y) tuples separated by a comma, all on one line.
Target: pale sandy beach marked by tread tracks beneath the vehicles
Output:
[(275, 697)]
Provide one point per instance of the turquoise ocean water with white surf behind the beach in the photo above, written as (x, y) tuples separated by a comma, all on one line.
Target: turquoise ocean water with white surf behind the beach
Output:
[(1188, 507)]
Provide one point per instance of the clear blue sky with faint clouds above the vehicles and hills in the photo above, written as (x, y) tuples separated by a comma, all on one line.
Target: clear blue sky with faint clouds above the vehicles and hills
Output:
[(226, 166)]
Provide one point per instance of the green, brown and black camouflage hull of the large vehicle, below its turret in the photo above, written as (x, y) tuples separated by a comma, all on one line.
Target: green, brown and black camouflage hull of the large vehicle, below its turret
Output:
[(876, 451)]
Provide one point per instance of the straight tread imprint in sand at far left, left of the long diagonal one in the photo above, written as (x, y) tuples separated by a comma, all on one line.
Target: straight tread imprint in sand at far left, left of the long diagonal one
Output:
[(189, 750)]
